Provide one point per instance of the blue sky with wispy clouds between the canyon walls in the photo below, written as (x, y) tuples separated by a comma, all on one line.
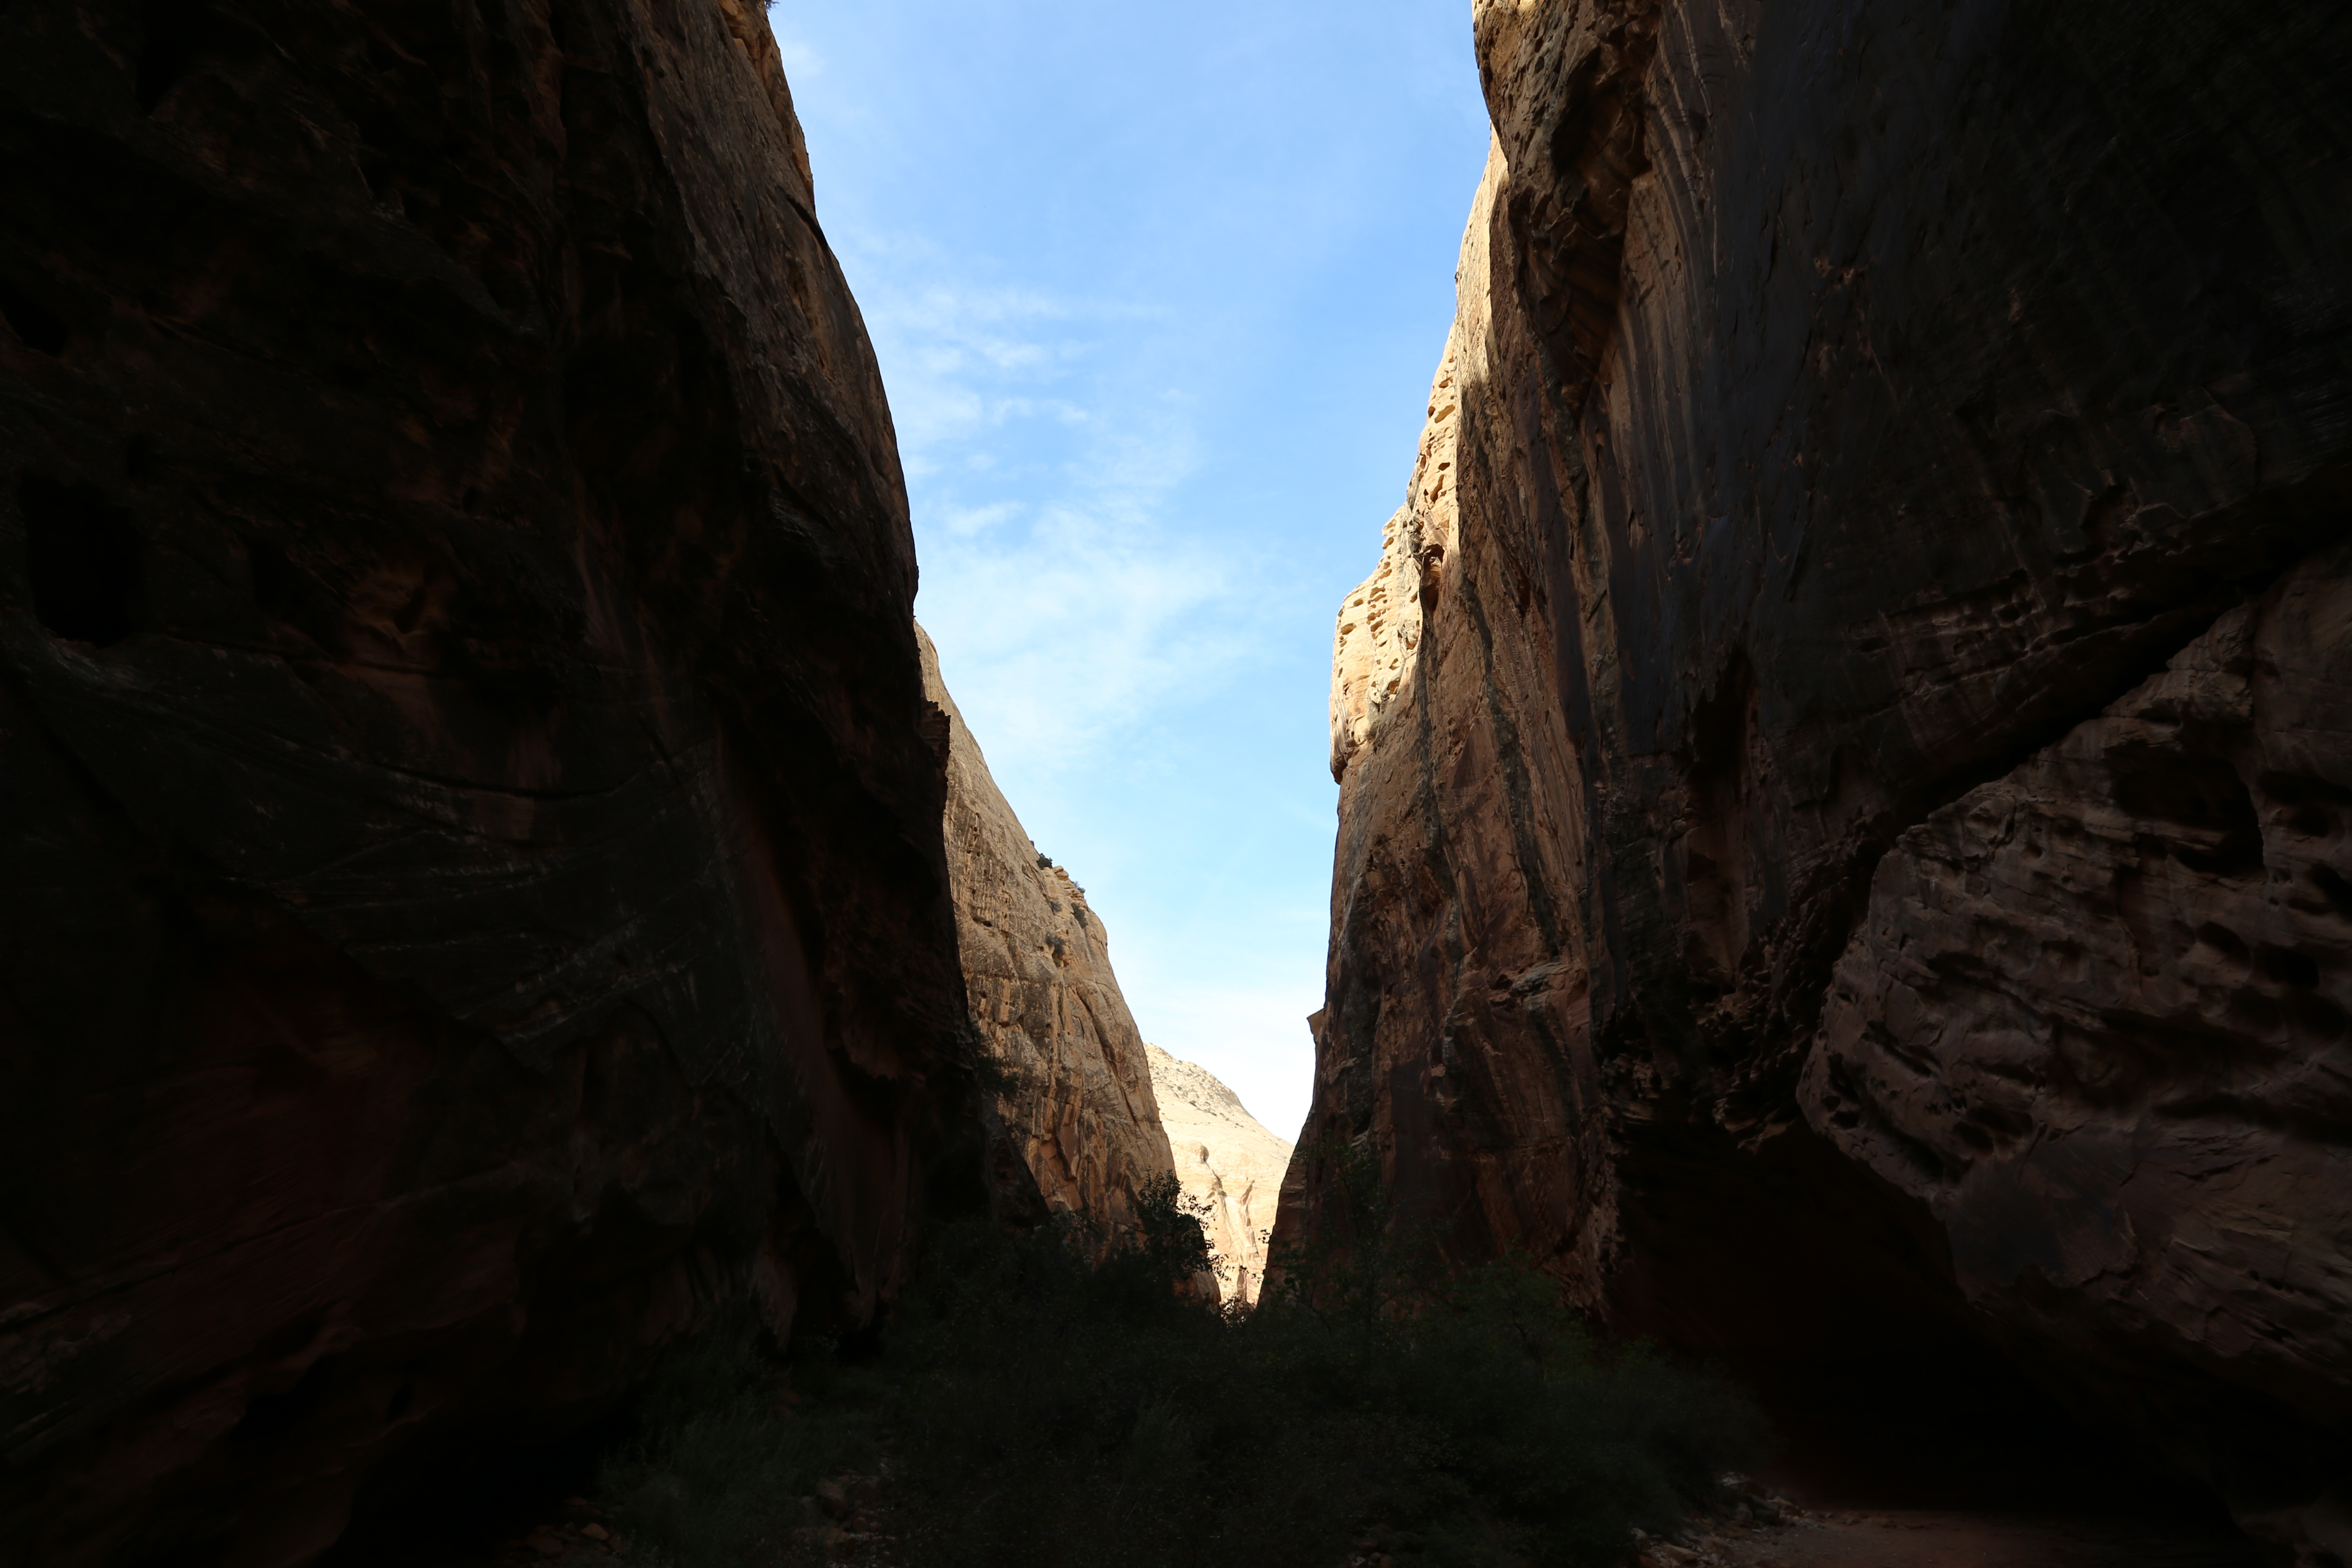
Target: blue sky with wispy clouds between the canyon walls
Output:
[(1158, 295)]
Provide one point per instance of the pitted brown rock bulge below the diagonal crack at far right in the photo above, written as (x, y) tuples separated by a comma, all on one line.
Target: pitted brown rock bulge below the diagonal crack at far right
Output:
[(2097, 1019)]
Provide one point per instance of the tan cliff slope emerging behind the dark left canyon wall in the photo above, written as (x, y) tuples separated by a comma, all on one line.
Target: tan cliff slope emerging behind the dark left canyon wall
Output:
[(1043, 998)]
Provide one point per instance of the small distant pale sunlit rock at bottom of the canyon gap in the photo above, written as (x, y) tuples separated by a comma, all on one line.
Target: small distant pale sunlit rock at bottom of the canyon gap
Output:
[(1229, 1165)]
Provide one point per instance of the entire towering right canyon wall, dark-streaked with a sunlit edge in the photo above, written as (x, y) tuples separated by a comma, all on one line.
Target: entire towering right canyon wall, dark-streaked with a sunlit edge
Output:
[(1869, 427)]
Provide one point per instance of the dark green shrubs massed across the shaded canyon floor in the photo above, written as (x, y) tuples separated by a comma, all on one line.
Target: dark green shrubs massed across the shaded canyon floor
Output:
[(1048, 1402)]
